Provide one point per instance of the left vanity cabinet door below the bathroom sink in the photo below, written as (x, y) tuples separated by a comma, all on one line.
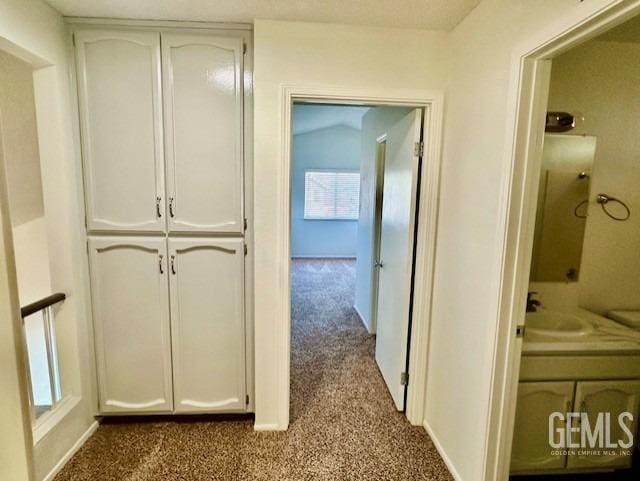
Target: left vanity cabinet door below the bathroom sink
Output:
[(536, 402)]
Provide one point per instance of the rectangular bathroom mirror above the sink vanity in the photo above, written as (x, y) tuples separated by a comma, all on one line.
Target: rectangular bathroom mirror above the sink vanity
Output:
[(562, 207)]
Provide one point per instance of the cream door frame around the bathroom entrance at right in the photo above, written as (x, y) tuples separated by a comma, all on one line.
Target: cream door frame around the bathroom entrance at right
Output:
[(527, 100)]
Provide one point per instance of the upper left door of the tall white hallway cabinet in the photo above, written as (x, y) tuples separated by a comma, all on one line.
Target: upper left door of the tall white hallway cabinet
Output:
[(121, 128)]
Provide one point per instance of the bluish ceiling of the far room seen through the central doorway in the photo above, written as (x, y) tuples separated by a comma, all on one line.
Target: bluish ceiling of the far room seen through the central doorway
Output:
[(310, 117)]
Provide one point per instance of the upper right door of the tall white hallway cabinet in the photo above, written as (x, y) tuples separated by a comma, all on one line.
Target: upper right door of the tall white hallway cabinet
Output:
[(203, 102)]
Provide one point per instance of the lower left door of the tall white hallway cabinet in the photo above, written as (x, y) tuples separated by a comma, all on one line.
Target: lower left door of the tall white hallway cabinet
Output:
[(130, 296)]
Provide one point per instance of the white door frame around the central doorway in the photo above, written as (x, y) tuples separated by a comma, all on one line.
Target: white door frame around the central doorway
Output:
[(432, 103)]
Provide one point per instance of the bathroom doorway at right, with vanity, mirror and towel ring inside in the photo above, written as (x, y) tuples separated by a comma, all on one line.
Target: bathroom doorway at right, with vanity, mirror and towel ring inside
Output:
[(573, 374)]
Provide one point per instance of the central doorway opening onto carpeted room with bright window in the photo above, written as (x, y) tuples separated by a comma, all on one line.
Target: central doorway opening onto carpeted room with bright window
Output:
[(355, 175)]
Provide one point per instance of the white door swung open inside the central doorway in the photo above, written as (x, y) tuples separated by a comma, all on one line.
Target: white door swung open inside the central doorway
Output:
[(396, 251)]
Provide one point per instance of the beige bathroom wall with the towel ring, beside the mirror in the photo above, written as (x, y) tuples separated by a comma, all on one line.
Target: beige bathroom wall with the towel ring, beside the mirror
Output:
[(599, 80)]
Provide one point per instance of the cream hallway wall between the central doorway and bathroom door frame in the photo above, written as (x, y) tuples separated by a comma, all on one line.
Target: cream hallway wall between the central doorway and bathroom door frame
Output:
[(472, 218)]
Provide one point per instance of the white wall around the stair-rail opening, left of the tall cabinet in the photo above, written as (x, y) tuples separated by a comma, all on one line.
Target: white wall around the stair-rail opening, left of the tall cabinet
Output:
[(37, 33)]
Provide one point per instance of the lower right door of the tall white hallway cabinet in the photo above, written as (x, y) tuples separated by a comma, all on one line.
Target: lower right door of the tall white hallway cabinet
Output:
[(208, 324)]
